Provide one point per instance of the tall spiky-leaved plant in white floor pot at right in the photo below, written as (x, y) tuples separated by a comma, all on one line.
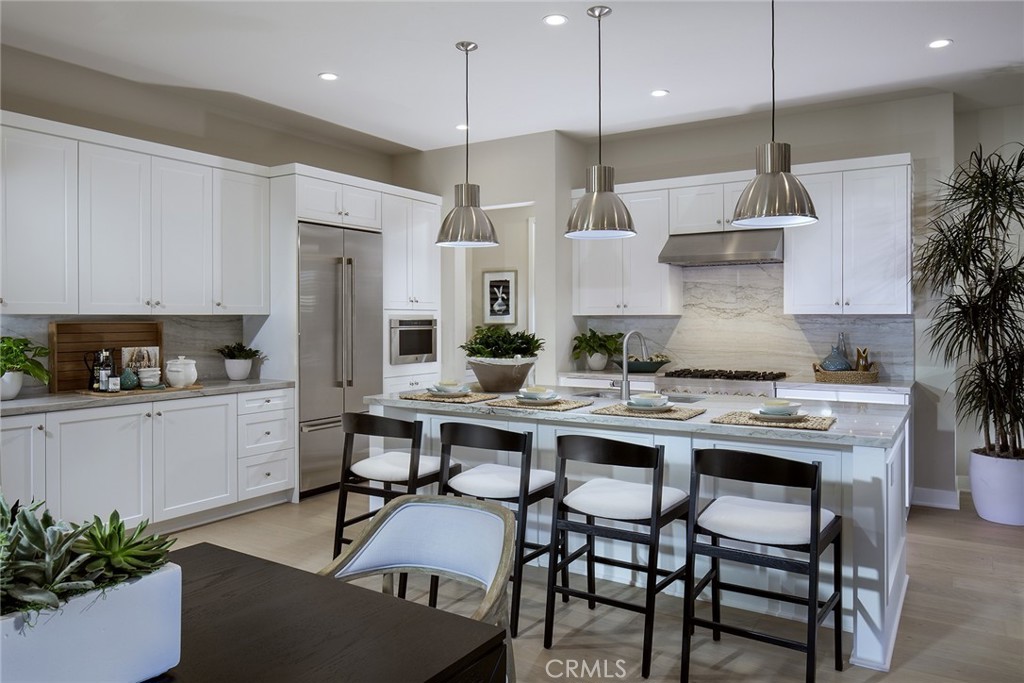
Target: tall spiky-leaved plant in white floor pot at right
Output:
[(974, 267)]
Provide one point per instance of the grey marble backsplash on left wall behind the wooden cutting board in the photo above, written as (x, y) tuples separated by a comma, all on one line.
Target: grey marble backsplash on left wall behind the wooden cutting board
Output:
[(193, 336)]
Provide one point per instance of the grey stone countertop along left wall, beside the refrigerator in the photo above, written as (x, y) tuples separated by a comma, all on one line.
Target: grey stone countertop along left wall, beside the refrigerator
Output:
[(70, 401)]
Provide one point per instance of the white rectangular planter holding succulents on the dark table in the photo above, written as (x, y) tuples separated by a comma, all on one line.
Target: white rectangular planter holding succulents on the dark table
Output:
[(129, 633)]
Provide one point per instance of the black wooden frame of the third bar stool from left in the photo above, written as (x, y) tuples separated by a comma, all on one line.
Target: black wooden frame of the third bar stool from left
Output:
[(622, 454)]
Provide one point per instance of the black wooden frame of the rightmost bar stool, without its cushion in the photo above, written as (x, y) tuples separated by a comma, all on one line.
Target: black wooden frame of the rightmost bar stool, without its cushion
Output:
[(759, 468)]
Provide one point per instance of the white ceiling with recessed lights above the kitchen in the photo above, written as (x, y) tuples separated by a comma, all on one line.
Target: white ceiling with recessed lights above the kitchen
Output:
[(403, 79)]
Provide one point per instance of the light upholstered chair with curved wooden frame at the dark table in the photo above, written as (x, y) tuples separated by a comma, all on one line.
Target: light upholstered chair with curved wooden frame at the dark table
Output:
[(462, 539)]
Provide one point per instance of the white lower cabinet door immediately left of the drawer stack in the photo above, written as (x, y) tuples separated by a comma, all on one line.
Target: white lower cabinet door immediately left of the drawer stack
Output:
[(195, 456)]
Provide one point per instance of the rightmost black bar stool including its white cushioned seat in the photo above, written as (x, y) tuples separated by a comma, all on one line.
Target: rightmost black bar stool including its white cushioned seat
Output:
[(804, 529)]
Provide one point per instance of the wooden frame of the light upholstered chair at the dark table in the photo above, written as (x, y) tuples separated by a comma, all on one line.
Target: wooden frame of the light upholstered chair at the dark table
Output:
[(494, 605)]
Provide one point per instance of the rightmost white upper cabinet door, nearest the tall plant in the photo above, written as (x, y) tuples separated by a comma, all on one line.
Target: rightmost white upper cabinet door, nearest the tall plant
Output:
[(876, 241)]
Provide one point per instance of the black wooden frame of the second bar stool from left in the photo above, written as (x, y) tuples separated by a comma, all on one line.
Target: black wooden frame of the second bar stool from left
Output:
[(492, 439)]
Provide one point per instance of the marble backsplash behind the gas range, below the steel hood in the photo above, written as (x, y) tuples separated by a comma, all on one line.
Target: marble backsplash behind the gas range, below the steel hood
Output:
[(733, 319)]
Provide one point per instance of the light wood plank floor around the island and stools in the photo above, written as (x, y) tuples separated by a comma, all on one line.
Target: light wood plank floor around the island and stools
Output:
[(963, 620)]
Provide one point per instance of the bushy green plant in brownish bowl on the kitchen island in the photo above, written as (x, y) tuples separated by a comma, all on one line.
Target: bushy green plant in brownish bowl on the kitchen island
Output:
[(501, 359)]
